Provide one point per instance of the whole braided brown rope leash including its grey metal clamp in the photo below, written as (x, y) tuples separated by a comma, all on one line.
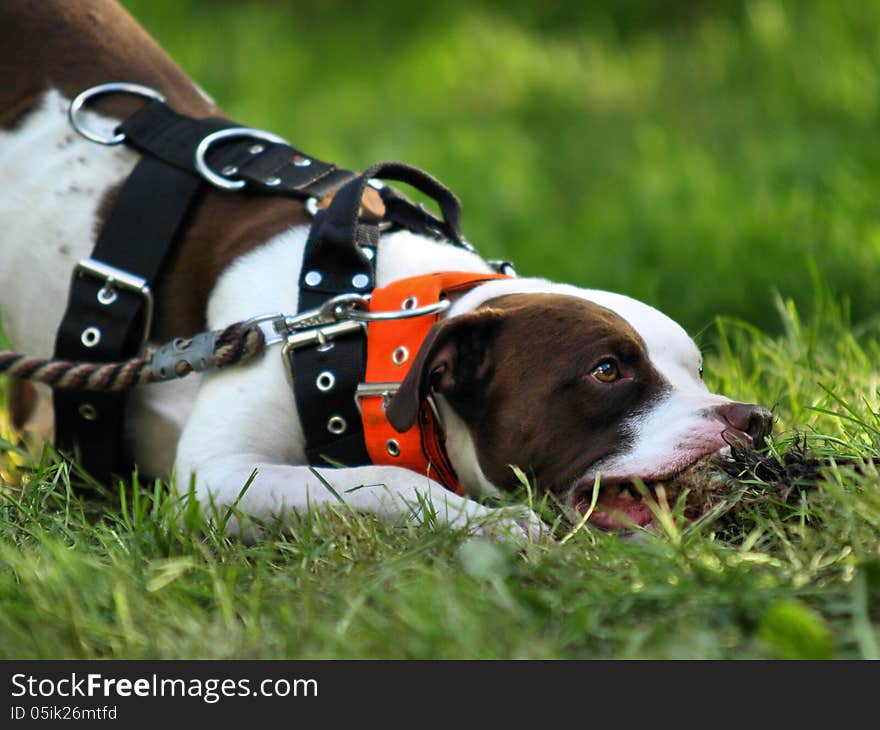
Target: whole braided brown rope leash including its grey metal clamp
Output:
[(237, 344)]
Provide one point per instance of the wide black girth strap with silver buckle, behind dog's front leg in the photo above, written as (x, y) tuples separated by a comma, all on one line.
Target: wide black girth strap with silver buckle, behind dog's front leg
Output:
[(106, 322)]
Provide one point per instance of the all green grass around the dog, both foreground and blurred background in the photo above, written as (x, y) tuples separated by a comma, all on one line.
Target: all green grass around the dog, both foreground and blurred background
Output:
[(720, 164)]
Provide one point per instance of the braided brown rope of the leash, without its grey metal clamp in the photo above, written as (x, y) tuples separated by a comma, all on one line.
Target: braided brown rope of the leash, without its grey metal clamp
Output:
[(237, 344)]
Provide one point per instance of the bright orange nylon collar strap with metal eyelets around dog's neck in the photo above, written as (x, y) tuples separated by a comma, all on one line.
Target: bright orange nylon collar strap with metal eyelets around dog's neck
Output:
[(391, 348)]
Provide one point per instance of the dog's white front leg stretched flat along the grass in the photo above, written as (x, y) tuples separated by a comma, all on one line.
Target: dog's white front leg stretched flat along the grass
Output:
[(244, 427)]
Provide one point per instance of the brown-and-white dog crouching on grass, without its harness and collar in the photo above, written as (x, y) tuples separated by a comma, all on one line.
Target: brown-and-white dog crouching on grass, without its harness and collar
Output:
[(565, 383)]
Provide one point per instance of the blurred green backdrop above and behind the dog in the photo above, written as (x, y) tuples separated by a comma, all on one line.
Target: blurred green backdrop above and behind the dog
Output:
[(697, 155)]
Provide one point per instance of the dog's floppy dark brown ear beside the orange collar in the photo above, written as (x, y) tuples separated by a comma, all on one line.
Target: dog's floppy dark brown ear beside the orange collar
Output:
[(453, 360)]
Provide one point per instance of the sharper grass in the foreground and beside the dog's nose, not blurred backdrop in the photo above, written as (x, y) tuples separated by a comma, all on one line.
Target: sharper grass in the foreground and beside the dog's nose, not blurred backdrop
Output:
[(137, 575)]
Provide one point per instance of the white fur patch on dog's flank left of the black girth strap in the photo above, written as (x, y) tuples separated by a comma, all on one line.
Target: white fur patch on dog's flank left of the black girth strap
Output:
[(53, 182)]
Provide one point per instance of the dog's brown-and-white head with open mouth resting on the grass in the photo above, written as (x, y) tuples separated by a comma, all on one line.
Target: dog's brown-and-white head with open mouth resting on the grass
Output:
[(566, 383)]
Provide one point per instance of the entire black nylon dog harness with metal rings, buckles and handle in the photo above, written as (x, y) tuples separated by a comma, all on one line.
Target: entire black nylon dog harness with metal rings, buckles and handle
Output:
[(109, 312)]
